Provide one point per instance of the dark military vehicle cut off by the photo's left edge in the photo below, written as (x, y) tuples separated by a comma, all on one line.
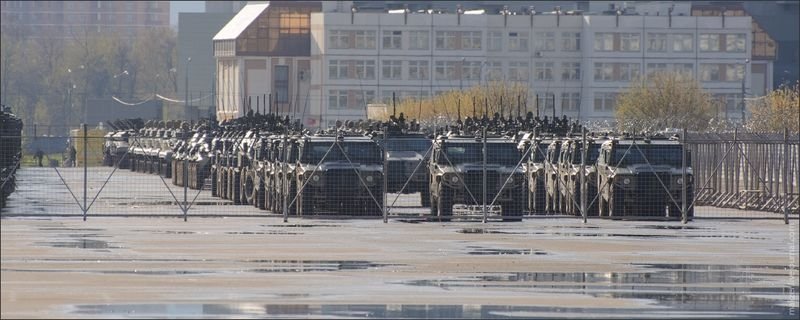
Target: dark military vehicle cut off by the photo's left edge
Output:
[(10, 152)]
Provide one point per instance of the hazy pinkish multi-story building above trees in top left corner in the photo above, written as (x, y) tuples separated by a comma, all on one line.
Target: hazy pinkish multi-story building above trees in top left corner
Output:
[(67, 19)]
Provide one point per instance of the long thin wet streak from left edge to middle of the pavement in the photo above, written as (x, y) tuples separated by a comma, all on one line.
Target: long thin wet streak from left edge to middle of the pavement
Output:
[(257, 266)]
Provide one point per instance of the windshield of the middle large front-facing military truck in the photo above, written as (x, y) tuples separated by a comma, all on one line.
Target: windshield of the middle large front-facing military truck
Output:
[(497, 153)]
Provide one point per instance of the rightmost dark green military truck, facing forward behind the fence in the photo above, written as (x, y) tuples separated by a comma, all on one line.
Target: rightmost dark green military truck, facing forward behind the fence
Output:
[(641, 177)]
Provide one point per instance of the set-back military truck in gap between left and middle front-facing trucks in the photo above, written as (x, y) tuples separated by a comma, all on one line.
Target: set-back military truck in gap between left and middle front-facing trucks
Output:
[(407, 163)]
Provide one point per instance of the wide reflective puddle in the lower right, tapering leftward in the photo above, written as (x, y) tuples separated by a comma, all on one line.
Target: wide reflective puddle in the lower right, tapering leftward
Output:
[(708, 288)]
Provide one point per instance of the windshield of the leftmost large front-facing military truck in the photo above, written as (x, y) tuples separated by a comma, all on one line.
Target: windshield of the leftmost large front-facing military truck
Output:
[(358, 152)]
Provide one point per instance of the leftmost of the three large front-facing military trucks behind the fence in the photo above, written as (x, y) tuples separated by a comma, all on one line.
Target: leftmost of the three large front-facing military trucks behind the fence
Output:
[(338, 173)]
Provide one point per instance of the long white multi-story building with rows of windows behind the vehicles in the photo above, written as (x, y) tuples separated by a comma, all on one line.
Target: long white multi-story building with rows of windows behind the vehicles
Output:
[(575, 63)]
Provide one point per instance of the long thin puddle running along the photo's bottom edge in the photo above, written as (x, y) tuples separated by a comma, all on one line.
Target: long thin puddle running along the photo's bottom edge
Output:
[(393, 311)]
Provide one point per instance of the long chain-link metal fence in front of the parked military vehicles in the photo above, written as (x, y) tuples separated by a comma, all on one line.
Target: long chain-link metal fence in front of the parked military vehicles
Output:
[(478, 177)]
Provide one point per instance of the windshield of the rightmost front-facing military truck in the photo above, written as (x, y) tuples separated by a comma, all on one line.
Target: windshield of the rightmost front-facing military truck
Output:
[(654, 154)]
